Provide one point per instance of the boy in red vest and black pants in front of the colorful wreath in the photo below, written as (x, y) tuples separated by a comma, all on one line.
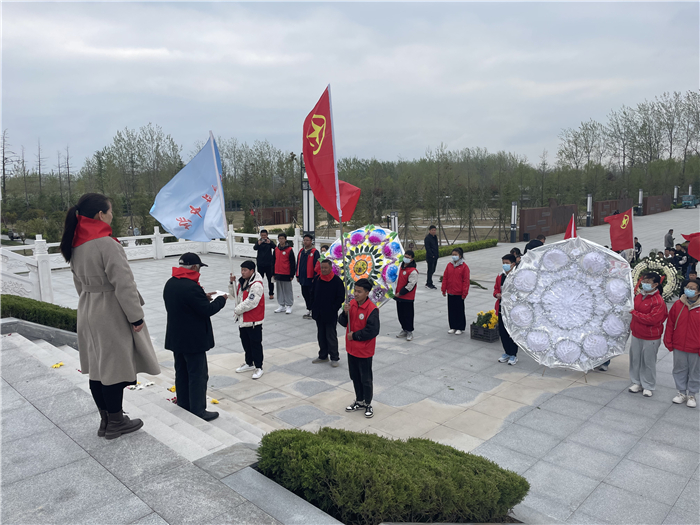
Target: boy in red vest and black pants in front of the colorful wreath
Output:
[(361, 317)]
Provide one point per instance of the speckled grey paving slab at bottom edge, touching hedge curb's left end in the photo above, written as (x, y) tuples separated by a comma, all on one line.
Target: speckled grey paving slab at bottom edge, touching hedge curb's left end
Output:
[(187, 494)]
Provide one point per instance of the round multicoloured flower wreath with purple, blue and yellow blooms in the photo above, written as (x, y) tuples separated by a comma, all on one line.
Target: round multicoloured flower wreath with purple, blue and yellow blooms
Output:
[(370, 253)]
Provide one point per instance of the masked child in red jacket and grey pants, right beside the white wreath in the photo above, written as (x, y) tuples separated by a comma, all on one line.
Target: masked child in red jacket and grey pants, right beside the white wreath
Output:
[(647, 326)]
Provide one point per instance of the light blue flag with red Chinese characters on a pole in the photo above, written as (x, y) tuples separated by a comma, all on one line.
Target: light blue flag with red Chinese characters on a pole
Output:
[(191, 205)]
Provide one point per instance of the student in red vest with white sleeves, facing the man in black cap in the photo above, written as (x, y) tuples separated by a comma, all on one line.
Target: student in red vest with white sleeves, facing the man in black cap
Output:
[(250, 313)]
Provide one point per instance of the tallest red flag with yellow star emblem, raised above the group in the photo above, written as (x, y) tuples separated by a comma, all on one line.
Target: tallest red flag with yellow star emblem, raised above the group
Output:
[(335, 196)]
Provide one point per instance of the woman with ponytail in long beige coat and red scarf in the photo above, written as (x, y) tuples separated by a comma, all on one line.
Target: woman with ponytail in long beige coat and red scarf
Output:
[(113, 340)]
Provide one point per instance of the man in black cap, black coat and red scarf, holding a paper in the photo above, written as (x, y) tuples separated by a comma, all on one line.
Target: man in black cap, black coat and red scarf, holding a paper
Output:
[(189, 333)]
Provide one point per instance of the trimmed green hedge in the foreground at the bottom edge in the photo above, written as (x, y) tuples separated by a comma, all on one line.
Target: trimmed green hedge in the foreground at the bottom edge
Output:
[(367, 479)]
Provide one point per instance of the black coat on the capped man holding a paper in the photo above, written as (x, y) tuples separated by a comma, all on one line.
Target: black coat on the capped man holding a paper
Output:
[(188, 329)]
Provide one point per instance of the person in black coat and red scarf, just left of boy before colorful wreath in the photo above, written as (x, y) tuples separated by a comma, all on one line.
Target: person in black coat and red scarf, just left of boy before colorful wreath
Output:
[(329, 294)]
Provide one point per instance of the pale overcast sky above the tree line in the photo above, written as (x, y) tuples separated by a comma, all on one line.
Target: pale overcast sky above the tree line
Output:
[(404, 76)]
